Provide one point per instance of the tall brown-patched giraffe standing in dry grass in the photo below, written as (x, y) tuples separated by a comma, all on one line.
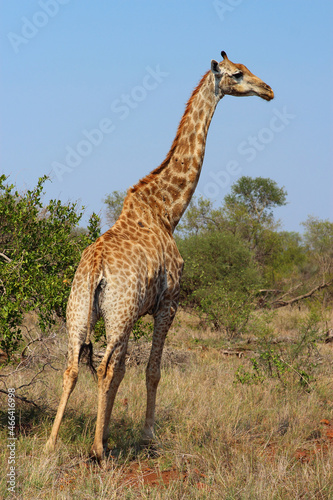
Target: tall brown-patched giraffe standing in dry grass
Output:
[(135, 267)]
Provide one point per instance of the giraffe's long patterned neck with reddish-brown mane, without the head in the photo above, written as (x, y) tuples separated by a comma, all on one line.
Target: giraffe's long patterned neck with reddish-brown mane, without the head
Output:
[(169, 188)]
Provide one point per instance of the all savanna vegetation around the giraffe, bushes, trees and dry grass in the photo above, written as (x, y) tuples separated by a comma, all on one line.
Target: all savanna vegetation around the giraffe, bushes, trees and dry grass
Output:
[(245, 400)]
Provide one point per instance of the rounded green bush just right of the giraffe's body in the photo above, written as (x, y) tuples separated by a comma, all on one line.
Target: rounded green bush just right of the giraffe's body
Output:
[(220, 279)]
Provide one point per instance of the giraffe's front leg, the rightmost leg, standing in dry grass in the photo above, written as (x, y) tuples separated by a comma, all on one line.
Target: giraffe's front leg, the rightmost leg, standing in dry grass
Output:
[(162, 324)]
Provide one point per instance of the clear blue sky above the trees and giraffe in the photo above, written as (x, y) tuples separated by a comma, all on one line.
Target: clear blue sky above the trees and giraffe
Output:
[(92, 94)]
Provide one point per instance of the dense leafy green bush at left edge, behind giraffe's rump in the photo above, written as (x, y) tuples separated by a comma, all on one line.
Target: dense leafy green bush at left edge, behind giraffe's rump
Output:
[(39, 255)]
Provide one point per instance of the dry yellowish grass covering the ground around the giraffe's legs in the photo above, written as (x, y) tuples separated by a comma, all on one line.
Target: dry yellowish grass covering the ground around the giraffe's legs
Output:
[(216, 438)]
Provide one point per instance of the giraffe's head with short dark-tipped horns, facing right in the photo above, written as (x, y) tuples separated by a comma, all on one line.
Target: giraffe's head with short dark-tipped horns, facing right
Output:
[(236, 79)]
